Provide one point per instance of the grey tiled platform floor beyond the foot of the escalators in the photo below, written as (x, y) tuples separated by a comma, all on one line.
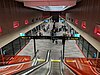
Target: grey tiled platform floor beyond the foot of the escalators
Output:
[(71, 49)]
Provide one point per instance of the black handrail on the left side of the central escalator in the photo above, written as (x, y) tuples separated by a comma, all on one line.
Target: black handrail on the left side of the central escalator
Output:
[(33, 68)]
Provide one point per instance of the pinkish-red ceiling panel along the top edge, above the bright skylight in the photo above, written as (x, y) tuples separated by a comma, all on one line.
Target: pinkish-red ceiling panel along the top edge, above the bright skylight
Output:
[(48, 2)]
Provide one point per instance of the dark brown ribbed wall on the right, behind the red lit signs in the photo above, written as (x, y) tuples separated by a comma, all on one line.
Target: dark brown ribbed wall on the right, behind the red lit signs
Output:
[(89, 11)]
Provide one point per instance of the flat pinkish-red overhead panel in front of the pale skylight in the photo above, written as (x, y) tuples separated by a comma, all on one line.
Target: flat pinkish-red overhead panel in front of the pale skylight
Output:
[(59, 3)]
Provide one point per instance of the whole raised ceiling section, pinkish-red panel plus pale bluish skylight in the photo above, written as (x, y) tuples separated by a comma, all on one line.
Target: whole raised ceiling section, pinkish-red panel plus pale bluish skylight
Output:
[(49, 5)]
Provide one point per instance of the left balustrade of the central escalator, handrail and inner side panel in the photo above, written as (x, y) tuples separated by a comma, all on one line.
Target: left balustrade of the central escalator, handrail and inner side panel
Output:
[(40, 68)]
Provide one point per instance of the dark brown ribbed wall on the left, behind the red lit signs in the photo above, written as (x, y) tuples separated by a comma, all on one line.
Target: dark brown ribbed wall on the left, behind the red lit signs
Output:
[(11, 11)]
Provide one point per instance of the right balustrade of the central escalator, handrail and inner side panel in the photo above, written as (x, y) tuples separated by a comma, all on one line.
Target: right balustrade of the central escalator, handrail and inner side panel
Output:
[(65, 70)]
